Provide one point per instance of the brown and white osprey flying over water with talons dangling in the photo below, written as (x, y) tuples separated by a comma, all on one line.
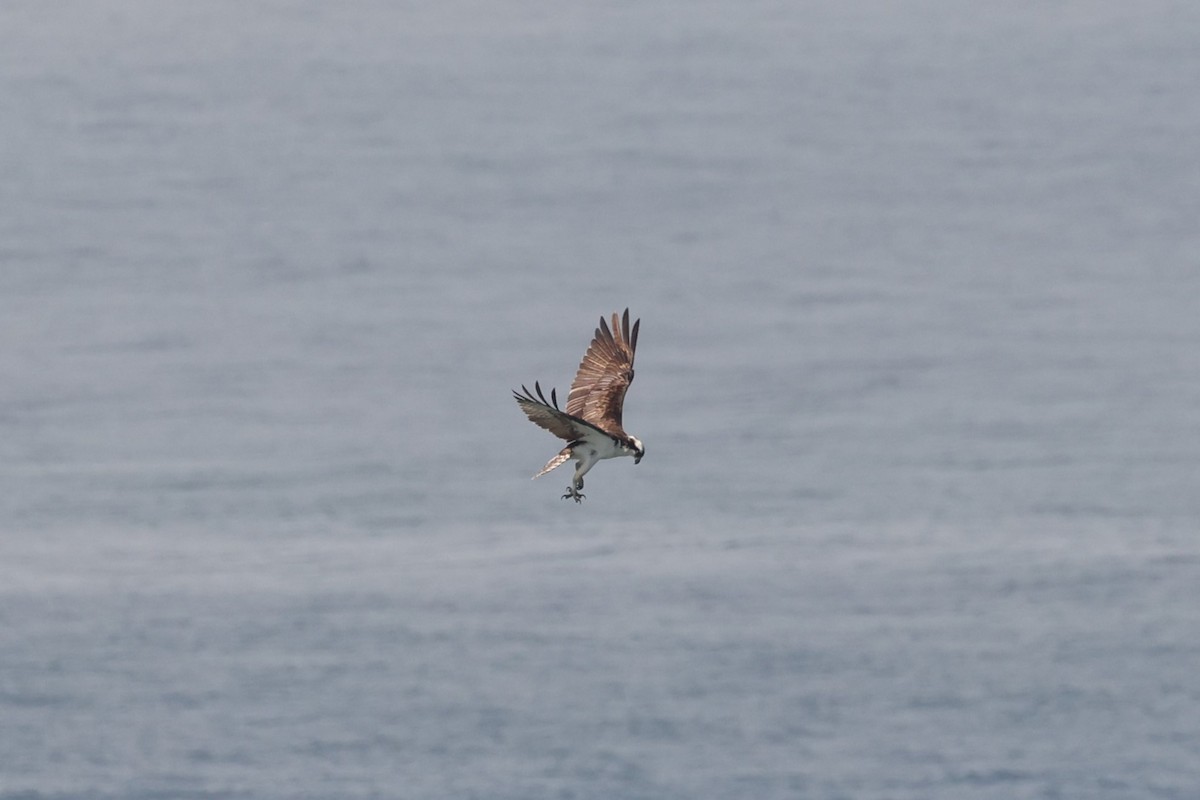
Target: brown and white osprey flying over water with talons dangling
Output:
[(591, 425)]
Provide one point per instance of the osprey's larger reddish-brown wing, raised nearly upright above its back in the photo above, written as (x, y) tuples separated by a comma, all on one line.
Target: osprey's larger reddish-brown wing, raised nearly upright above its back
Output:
[(598, 392)]
